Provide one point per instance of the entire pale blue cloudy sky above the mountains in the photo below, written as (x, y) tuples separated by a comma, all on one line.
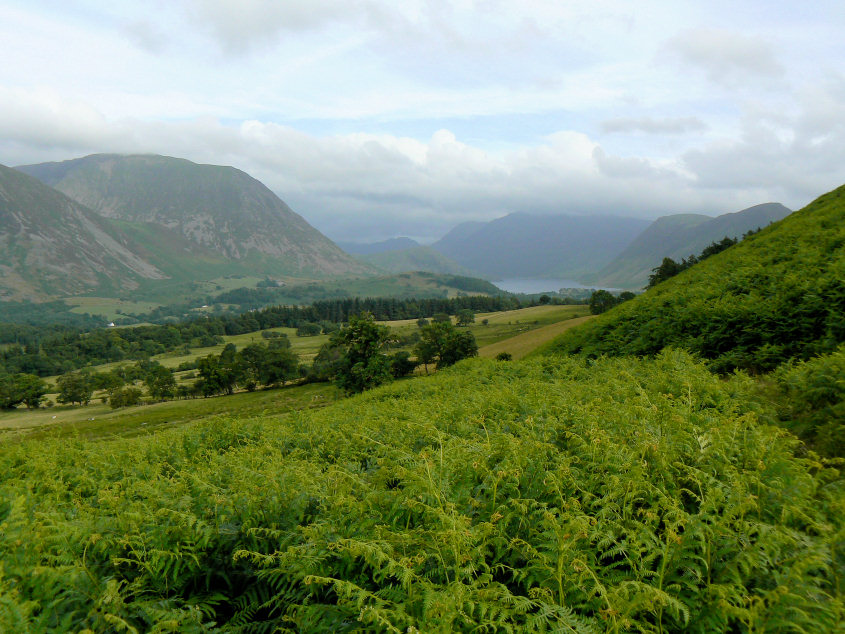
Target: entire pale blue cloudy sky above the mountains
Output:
[(380, 118)]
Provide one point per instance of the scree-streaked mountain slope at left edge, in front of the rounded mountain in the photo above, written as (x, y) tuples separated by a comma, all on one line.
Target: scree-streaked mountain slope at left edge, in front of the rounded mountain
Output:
[(52, 245)]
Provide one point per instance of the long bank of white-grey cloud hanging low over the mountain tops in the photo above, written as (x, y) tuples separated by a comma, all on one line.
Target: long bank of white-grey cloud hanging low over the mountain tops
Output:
[(371, 186)]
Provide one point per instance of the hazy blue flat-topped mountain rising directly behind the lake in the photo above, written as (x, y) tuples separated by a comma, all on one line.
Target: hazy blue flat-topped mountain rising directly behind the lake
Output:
[(525, 245)]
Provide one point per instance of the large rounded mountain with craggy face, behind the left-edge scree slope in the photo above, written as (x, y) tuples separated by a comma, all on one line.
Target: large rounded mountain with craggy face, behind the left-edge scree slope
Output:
[(198, 220)]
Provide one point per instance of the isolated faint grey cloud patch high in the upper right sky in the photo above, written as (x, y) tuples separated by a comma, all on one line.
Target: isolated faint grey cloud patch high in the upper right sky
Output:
[(727, 57)]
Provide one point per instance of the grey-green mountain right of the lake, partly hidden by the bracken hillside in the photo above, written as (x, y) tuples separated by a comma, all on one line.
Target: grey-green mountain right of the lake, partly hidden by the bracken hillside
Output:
[(677, 237)]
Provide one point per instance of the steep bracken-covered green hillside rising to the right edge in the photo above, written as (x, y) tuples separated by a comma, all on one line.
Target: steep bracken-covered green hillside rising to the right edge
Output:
[(777, 295)]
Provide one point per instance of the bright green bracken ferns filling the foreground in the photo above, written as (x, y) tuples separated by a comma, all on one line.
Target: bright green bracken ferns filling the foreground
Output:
[(563, 494)]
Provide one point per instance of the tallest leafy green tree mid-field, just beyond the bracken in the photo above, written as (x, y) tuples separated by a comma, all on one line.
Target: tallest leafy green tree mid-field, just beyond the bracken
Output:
[(362, 366)]
